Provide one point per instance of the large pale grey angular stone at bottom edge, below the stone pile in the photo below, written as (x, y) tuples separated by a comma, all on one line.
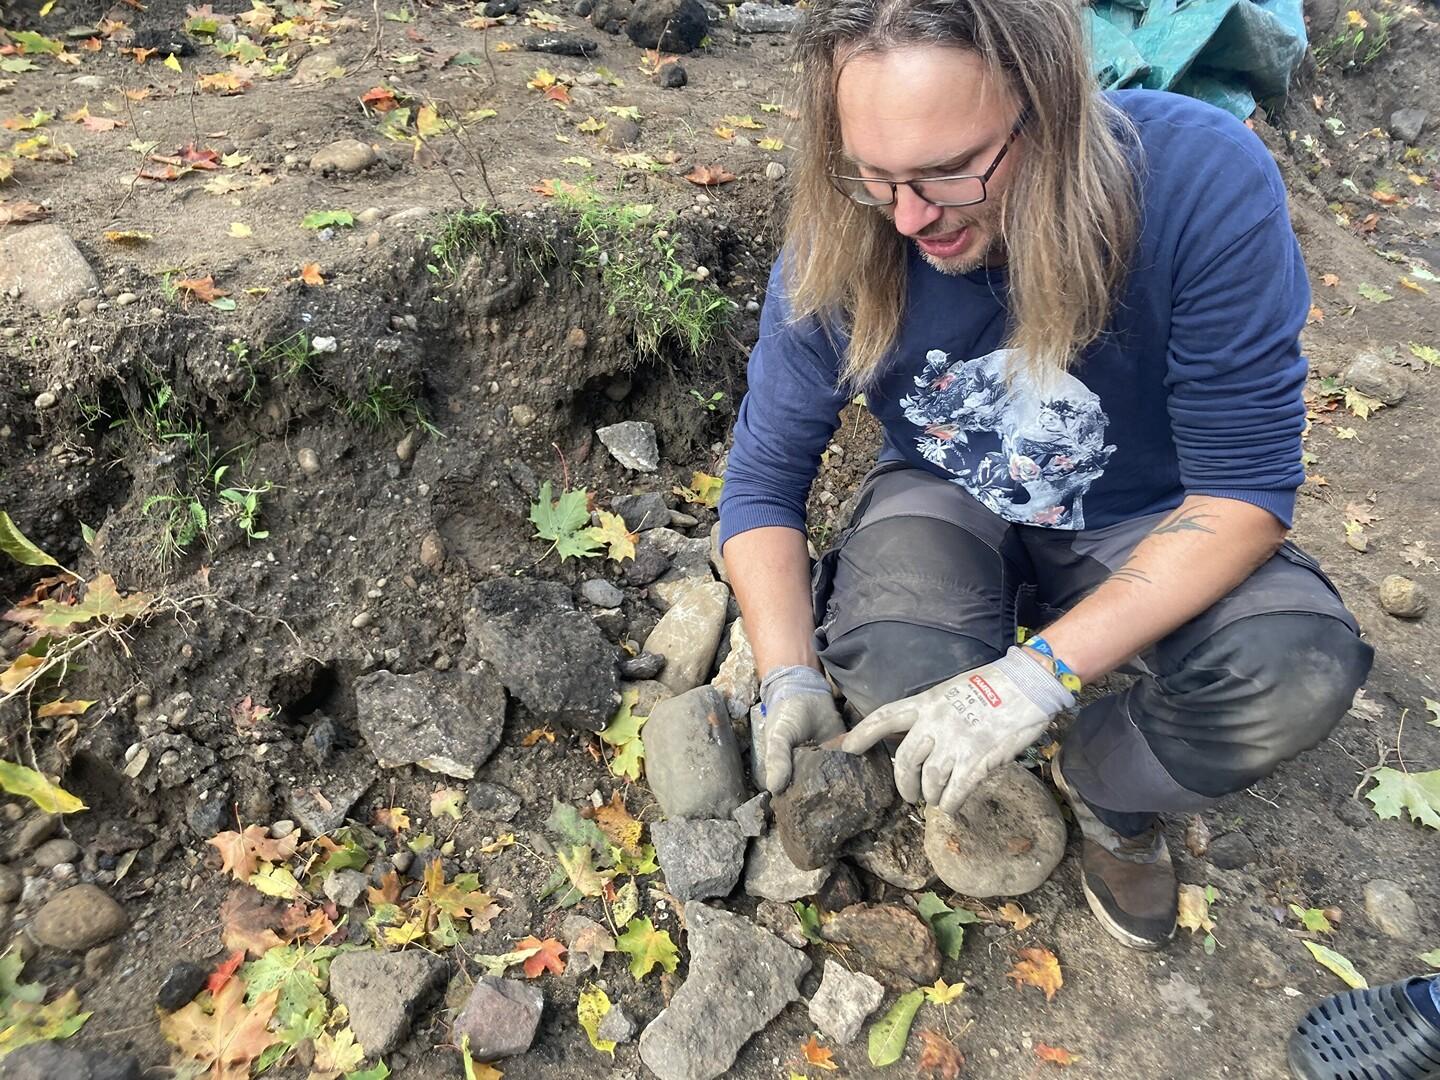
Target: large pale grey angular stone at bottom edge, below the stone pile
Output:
[(741, 978)]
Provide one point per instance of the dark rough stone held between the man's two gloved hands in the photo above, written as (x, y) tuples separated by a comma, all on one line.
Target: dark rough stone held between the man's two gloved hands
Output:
[(832, 798)]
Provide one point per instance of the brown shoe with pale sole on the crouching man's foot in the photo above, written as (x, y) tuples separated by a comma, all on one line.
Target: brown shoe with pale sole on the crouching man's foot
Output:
[(1128, 881)]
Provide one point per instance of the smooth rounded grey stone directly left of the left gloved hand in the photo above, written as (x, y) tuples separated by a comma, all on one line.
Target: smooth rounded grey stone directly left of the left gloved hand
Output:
[(692, 760)]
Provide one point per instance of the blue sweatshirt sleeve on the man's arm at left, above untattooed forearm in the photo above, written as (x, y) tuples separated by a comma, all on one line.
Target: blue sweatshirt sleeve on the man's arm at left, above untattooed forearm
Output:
[(786, 421)]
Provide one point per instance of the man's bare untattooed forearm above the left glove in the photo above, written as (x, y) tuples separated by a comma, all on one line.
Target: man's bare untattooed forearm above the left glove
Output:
[(770, 572)]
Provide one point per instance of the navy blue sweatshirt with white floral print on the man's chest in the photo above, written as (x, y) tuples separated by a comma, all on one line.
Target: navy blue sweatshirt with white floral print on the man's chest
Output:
[(1196, 390)]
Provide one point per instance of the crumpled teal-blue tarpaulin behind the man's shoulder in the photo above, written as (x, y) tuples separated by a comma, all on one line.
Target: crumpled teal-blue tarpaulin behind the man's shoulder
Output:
[(1233, 54)]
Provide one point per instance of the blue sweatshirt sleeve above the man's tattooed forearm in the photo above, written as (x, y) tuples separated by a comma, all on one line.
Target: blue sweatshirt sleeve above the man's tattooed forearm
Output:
[(1236, 375)]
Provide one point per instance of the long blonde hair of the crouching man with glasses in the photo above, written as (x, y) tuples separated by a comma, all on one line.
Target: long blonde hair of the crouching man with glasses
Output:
[(1069, 217)]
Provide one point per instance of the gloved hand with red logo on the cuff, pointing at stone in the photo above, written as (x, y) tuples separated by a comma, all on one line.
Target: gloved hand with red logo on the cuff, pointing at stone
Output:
[(957, 732)]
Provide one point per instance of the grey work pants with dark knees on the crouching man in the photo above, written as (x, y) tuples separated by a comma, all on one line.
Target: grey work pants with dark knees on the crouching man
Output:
[(927, 582)]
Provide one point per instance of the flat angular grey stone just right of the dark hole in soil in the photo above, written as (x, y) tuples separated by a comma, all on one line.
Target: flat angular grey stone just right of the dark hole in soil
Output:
[(444, 722)]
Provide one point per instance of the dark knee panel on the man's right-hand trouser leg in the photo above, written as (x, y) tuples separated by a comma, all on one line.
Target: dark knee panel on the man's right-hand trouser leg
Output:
[(1256, 693)]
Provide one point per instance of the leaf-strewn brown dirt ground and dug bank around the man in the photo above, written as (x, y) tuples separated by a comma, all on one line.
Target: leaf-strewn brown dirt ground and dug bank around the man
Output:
[(505, 339)]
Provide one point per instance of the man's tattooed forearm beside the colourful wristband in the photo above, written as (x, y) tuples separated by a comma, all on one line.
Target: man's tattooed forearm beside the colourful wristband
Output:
[(1190, 561)]
